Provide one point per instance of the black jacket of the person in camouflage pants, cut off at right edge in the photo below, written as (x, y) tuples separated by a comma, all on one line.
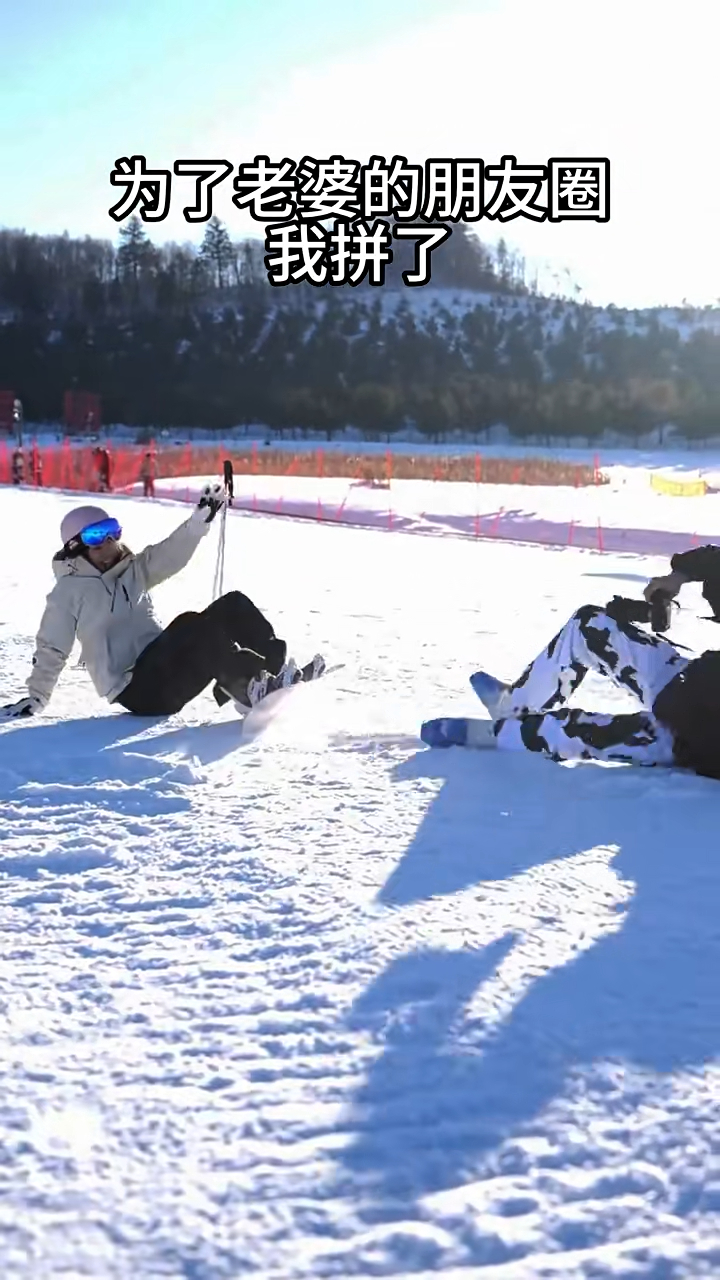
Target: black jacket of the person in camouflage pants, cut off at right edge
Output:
[(690, 706)]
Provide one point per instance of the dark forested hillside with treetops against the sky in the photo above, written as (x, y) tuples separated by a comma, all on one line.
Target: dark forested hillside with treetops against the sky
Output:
[(176, 336)]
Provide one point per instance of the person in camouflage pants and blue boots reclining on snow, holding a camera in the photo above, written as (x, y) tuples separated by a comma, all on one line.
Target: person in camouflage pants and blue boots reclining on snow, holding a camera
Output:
[(680, 697)]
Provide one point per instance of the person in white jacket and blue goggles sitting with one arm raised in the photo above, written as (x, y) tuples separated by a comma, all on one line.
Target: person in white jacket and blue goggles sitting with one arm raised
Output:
[(103, 598)]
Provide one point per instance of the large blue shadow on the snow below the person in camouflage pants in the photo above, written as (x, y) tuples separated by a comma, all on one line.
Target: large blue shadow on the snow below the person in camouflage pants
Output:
[(648, 995)]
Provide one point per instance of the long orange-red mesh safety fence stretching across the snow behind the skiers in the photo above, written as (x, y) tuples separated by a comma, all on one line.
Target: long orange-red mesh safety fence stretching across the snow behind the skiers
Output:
[(104, 469)]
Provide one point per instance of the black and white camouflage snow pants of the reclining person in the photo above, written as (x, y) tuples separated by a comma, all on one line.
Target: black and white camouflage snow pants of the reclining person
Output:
[(632, 659)]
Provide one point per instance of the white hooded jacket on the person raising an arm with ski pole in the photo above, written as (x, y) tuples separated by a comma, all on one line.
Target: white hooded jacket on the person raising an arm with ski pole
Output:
[(111, 614)]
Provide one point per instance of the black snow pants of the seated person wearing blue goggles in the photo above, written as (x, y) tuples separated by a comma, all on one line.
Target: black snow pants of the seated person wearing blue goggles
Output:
[(229, 643)]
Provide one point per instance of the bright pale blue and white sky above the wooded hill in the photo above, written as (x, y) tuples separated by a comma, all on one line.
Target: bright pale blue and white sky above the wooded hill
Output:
[(634, 80)]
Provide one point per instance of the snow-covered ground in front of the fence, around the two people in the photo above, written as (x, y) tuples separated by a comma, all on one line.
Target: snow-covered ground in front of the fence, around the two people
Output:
[(317, 1002)]
